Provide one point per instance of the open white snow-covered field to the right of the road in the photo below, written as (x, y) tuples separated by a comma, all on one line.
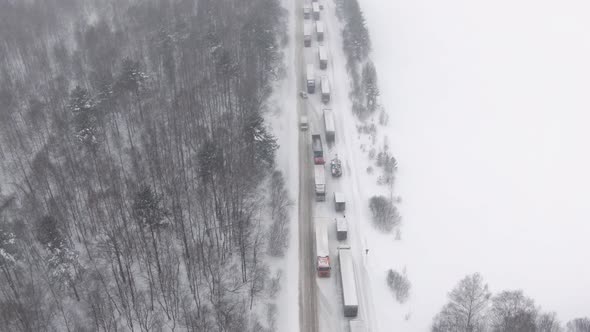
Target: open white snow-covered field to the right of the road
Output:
[(489, 108)]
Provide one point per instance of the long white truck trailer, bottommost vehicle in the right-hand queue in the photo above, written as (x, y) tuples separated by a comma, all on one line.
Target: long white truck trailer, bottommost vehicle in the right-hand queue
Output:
[(348, 281)]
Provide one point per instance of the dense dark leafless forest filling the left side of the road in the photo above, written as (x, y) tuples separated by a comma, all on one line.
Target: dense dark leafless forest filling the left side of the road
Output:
[(133, 152)]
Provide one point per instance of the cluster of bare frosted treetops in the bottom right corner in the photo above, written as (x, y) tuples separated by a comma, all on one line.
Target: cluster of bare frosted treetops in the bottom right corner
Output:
[(472, 308)]
